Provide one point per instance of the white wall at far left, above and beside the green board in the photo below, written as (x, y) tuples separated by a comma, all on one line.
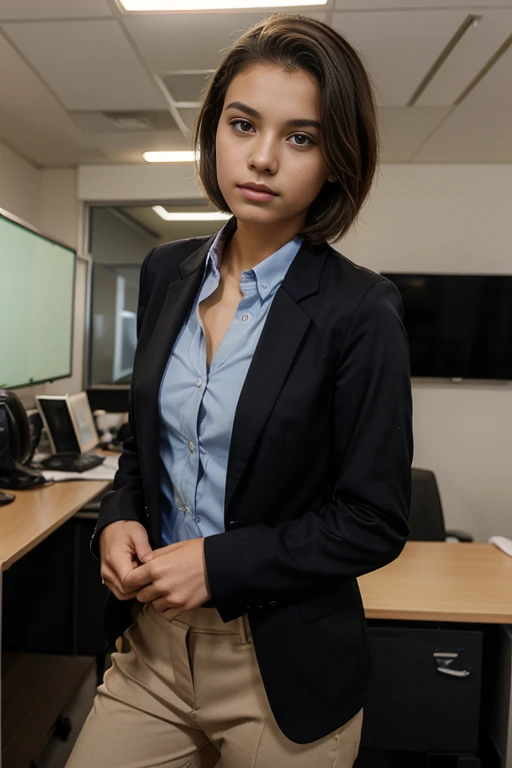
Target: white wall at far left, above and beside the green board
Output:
[(47, 199)]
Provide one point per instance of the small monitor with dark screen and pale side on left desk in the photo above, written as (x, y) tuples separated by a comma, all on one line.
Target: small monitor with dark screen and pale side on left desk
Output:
[(69, 422)]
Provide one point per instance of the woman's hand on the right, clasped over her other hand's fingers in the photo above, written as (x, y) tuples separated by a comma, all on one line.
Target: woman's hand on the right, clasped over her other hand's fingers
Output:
[(173, 578)]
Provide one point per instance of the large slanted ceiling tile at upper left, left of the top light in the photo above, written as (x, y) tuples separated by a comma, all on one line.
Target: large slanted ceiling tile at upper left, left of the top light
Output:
[(88, 64)]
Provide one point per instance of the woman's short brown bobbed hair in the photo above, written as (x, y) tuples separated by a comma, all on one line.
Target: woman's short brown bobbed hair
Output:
[(349, 137)]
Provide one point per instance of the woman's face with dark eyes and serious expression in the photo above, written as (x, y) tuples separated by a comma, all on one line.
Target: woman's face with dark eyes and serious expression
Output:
[(268, 133)]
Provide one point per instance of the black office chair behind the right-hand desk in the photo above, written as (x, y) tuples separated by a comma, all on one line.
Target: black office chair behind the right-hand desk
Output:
[(426, 518)]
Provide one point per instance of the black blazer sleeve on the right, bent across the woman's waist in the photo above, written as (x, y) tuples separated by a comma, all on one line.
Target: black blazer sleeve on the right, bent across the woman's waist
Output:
[(365, 525)]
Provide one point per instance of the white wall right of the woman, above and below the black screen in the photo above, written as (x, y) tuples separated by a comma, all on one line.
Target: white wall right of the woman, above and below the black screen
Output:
[(450, 218)]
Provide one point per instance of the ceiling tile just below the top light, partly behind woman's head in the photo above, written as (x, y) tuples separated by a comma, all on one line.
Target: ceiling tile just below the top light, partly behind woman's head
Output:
[(190, 41)]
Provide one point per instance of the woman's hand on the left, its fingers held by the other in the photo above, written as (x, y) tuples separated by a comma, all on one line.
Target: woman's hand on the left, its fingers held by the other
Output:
[(124, 545)]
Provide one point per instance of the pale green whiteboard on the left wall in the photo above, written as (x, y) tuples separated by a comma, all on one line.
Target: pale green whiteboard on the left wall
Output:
[(37, 277)]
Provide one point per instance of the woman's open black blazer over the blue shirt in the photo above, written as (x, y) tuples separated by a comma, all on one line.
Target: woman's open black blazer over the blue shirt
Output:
[(318, 480)]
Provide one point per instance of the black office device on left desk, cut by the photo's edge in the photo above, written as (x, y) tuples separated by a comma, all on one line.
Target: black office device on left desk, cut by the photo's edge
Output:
[(15, 445)]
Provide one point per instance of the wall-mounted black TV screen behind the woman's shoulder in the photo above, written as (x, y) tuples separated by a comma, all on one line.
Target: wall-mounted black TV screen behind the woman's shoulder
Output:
[(459, 326)]
